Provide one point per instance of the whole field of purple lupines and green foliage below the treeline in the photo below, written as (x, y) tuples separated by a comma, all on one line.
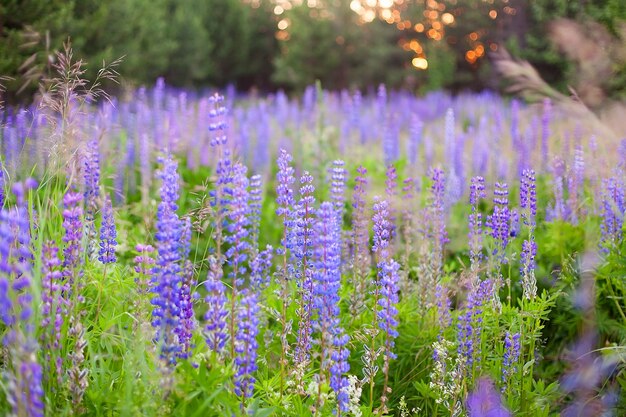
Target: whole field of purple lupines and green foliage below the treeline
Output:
[(181, 254)]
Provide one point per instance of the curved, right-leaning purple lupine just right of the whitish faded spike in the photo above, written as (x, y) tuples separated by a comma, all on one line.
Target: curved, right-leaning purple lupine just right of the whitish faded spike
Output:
[(470, 324)]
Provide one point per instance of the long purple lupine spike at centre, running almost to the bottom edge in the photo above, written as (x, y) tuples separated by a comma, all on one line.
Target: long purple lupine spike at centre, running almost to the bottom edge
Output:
[(327, 280)]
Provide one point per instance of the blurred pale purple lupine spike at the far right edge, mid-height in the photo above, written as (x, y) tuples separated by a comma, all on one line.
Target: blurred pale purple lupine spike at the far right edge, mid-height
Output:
[(612, 210)]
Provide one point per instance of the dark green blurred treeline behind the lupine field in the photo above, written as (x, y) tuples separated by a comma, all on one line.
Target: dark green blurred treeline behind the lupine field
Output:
[(209, 43)]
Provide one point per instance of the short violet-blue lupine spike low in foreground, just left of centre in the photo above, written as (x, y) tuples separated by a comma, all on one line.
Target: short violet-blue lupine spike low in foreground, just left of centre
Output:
[(246, 344)]
